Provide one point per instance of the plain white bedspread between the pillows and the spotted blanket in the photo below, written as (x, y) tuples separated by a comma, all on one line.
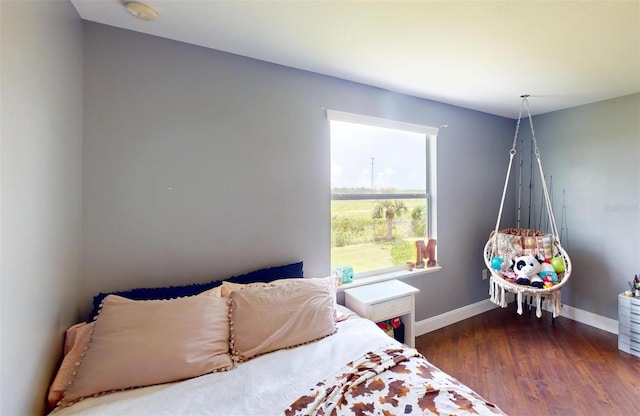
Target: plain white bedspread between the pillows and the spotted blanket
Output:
[(264, 386)]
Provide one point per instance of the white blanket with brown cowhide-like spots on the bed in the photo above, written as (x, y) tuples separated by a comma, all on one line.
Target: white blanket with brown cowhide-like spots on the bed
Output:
[(391, 381)]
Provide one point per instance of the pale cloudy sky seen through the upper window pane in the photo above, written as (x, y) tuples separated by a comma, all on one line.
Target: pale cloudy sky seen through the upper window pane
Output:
[(399, 157)]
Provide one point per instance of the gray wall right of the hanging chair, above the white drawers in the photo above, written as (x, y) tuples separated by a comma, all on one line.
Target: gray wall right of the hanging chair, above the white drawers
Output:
[(593, 153)]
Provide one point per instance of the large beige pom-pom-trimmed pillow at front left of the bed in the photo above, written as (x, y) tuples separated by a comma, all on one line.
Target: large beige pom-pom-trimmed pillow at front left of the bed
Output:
[(142, 343)]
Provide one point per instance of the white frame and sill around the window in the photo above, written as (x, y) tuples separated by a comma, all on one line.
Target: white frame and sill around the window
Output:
[(431, 134)]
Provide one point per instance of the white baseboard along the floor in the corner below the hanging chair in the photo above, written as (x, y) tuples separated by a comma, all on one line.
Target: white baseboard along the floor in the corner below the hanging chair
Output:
[(465, 312)]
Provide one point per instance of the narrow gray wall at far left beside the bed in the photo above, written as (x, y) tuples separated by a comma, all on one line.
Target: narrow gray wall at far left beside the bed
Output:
[(41, 162)]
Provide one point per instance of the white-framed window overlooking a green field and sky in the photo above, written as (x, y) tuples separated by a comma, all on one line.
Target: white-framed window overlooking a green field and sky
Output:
[(382, 191)]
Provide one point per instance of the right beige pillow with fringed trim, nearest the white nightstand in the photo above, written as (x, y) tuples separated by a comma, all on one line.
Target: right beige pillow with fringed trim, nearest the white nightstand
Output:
[(290, 313)]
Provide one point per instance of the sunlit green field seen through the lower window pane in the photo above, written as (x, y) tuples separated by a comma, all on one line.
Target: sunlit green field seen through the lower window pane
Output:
[(366, 248)]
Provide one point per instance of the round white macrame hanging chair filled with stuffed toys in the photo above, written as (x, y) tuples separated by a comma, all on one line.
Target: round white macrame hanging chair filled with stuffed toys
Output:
[(506, 245)]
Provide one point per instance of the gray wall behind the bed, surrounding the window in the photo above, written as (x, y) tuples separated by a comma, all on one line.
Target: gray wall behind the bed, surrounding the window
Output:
[(199, 164)]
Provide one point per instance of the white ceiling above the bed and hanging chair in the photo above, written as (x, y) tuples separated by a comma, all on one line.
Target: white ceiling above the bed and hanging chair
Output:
[(476, 54)]
